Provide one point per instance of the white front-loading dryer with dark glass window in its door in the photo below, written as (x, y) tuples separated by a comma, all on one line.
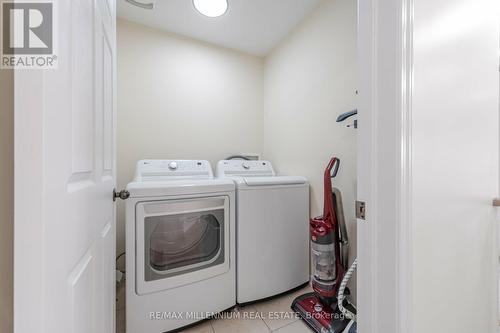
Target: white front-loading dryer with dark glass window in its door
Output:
[(180, 237)]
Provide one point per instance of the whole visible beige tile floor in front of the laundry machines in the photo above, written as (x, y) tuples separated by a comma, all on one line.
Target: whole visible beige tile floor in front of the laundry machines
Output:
[(264, 317)]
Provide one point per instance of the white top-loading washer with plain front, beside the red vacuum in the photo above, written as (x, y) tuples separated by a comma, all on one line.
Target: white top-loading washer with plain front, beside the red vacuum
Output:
[(272, 229)]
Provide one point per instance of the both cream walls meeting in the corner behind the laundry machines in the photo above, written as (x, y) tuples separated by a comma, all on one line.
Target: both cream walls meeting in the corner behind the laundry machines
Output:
[(179, 98)]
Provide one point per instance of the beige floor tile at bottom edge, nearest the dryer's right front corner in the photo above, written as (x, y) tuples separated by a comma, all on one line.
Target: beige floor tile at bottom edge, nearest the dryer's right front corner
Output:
[(242, 320)]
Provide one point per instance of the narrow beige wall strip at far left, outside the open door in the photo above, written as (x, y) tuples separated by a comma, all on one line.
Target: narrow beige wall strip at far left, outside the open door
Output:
[(6, 199)]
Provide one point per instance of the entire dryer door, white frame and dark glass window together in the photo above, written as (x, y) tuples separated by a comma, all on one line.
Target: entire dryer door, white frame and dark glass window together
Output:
[(181, 241)]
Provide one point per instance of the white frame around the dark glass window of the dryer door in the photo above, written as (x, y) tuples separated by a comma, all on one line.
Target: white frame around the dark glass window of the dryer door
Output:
[(187, 274)]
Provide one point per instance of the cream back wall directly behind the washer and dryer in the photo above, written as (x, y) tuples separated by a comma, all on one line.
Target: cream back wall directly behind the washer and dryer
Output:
[(183, 99)]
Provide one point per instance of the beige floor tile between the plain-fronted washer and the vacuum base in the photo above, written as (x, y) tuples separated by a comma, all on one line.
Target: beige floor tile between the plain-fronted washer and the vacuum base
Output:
[(277, 312)]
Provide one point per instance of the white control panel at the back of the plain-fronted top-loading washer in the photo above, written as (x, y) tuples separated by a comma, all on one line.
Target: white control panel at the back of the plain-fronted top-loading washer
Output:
[(229, 168)]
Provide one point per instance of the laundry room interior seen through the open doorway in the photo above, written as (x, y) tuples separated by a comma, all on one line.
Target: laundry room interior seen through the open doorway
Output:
[(252, 100)]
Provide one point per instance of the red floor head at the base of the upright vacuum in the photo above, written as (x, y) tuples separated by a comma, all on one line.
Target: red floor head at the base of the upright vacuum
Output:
[(319, 317)]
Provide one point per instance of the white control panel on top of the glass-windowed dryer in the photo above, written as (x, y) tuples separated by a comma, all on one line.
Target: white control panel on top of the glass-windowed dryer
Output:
[(158, 170)]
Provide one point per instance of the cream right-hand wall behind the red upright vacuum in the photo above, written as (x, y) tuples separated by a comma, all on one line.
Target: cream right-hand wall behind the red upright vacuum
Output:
[(310, 78)]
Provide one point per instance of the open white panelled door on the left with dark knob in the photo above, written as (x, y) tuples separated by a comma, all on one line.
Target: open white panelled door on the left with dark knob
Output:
[(64, 177)]
